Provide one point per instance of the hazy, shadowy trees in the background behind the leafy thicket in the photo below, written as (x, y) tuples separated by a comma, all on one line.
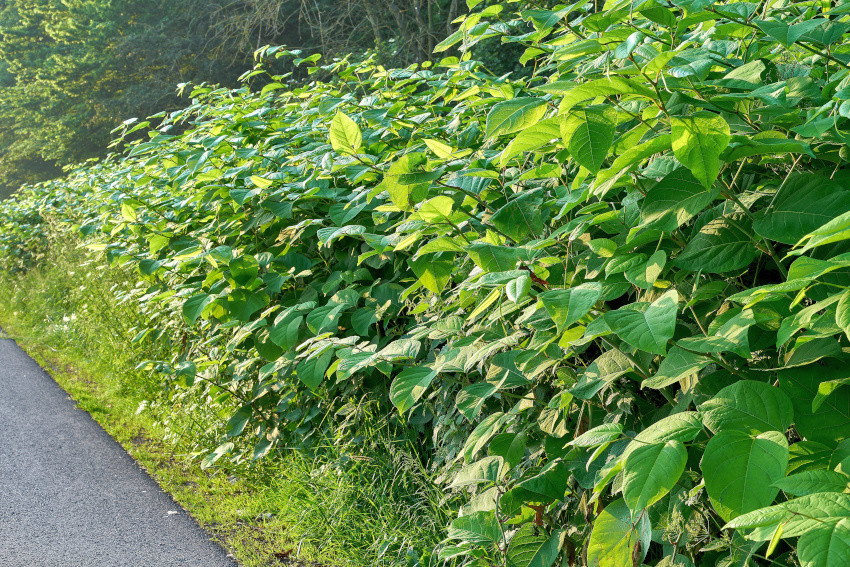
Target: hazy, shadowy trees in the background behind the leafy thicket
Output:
[(72, 70)]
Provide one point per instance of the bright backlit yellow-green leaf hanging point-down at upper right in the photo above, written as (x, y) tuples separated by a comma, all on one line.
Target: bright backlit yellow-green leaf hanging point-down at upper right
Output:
[(698, 141)]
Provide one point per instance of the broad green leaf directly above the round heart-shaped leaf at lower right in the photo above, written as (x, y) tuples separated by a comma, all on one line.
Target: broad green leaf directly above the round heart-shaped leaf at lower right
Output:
[(748, 406)]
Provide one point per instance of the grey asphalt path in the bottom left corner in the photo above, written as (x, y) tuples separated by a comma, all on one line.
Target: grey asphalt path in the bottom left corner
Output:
[(70, 496)]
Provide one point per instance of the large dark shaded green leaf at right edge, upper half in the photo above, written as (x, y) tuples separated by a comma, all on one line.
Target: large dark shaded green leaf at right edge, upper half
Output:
[(806, 202)]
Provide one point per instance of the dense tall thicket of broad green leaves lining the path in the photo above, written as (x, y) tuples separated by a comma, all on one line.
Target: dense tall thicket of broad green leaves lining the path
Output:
[(609, 301)]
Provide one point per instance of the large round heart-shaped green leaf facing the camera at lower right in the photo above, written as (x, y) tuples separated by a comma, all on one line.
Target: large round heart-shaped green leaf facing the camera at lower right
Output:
[(740, 470)]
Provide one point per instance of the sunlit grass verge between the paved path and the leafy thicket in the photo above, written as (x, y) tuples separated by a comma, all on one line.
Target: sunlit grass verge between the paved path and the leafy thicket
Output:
[(365, 503)]
